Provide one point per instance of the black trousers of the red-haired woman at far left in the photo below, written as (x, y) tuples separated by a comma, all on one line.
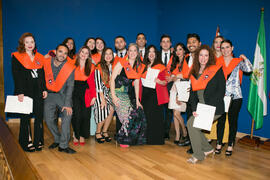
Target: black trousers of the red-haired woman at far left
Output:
[(25, 126)]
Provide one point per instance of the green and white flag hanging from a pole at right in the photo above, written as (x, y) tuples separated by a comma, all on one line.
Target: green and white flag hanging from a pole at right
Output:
[(257, 102)]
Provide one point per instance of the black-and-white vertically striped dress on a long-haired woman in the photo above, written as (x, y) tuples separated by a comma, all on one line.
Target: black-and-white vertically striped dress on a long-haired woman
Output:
[(101, 114)]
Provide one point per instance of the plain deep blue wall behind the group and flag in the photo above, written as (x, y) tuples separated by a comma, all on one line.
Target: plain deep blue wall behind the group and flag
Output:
[(52, 21)]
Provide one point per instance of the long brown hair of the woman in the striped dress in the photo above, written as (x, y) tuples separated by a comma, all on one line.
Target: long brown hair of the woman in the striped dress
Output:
[(105, 69)]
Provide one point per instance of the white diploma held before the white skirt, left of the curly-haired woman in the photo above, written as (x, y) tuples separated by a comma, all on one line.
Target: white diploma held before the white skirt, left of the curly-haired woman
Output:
[(182, 90)]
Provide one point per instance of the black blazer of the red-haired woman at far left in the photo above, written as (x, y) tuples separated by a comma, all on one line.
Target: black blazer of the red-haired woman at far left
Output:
[(23, 81)]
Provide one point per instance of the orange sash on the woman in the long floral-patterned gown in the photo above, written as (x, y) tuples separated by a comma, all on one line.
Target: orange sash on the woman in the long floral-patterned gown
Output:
[(130, 72)]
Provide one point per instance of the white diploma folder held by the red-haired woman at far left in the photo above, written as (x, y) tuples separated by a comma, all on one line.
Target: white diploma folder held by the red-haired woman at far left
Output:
[(13, 105)]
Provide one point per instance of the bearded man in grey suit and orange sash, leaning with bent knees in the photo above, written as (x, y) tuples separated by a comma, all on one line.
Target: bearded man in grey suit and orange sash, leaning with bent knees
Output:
[(59, 77)]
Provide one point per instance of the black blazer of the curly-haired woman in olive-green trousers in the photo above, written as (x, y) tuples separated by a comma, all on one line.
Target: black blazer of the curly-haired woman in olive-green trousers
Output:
[(213, 93)]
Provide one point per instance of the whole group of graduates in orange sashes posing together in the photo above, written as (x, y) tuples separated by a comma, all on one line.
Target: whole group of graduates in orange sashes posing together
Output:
[(71, 85)]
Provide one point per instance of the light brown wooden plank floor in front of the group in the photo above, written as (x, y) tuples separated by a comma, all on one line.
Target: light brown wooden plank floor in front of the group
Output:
[(108, 161)]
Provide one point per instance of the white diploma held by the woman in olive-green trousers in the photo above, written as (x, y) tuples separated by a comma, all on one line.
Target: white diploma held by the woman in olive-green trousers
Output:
[(205, 117)]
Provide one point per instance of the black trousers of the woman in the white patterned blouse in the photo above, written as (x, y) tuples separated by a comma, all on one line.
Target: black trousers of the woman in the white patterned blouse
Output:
[(233, 120)]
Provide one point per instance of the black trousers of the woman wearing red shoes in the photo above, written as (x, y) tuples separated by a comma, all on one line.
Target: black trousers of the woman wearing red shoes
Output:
[(81, 115)]
